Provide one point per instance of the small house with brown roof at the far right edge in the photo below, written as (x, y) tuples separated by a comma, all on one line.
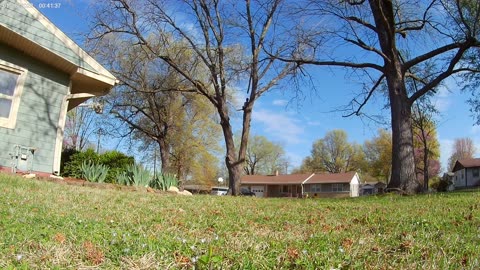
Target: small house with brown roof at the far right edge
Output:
[(467, 173)]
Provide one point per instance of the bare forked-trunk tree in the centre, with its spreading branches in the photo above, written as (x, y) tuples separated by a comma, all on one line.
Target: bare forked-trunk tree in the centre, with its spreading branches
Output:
[(226, 39)]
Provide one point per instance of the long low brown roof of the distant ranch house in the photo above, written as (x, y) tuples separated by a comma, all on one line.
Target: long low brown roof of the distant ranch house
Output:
[(298, 179)]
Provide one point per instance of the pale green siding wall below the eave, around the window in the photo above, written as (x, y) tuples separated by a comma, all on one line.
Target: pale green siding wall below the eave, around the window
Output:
[(39, 111)]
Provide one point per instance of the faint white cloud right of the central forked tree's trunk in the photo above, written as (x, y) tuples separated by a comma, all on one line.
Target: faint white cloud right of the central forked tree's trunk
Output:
[(279, 125)]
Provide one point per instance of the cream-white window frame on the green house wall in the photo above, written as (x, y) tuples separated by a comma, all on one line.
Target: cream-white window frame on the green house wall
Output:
[(11, 120)]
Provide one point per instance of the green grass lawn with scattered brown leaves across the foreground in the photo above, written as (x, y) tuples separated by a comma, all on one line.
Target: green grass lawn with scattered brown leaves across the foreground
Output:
[(49, 225)]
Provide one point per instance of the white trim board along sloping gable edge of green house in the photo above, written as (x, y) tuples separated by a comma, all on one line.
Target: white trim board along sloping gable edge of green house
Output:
[(65, 39)]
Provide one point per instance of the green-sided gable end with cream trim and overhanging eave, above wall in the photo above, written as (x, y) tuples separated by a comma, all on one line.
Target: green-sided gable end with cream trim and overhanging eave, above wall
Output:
[(24, 28)]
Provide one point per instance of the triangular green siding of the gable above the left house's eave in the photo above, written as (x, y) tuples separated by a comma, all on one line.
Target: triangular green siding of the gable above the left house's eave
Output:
[(15, 17)]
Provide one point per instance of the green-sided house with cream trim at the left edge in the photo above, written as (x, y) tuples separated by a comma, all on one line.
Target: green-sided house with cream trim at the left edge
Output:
[(43, 74)]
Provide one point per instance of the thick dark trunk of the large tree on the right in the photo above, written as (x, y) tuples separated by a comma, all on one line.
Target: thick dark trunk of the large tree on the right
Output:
[(403, 159)]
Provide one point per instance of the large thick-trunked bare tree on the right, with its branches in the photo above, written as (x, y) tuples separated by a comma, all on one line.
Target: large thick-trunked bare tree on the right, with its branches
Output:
[(391, 44)]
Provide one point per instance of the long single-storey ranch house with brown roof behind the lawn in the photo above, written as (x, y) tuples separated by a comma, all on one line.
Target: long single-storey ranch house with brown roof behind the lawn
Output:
[(331, 185)]
